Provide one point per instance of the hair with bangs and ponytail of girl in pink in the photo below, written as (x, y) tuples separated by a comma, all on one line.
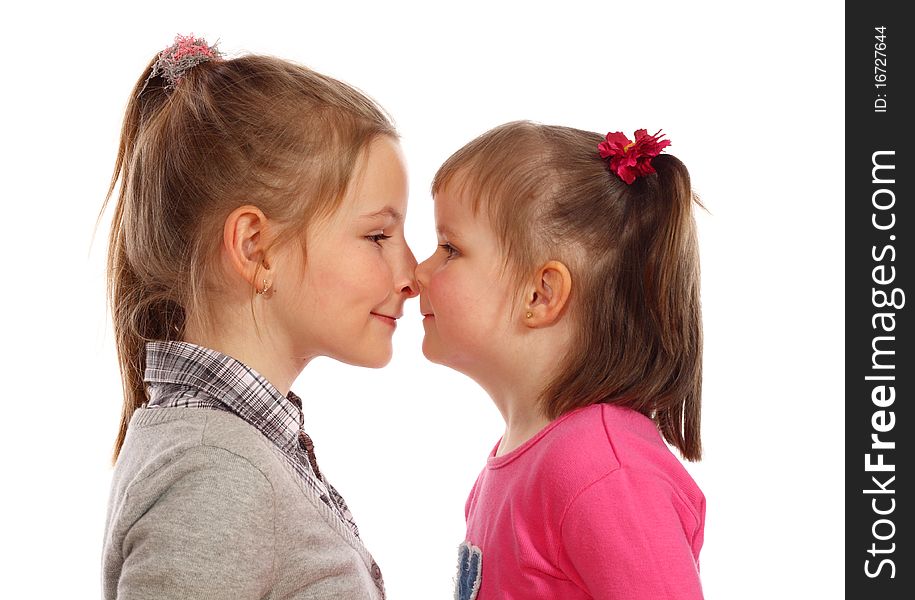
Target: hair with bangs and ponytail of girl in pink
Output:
[(633, 254)]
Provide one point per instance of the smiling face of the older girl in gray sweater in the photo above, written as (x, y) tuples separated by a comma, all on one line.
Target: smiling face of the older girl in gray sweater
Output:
[(345, 301)]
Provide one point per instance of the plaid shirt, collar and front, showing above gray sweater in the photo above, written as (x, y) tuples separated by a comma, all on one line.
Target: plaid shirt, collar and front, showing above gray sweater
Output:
[(181, 374)]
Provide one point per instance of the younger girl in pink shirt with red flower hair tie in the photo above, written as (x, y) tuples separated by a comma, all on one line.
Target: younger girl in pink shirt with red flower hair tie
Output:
[(567, 285)]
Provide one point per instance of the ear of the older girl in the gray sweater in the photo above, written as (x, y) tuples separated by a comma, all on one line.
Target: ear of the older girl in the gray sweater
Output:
[(244, 243)]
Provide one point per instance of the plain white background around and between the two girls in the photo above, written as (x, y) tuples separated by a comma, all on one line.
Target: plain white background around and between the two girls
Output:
[(752, 97)]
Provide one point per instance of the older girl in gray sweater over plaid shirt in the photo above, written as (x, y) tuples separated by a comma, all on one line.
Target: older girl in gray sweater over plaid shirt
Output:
[(259, 224)]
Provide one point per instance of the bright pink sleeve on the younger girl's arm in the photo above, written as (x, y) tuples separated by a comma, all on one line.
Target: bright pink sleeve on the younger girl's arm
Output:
[(632, 537)]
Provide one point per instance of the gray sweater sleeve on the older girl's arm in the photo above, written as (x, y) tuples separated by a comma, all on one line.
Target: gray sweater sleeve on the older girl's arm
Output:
[(208, 534)]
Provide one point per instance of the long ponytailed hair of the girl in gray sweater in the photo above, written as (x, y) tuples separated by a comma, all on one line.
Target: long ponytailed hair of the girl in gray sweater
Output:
[(250, 130)]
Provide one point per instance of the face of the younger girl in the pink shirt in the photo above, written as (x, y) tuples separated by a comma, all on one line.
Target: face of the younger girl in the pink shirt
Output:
[(464, 297)]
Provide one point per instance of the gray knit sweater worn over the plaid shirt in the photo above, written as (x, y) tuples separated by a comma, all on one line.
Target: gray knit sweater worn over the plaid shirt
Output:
[(204, 506)]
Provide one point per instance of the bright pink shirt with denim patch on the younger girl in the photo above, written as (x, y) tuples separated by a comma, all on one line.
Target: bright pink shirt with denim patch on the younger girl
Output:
[(593, 506)]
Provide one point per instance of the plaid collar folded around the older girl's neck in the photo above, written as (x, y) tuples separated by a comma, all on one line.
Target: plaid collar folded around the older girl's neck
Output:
[(237, 386)]
